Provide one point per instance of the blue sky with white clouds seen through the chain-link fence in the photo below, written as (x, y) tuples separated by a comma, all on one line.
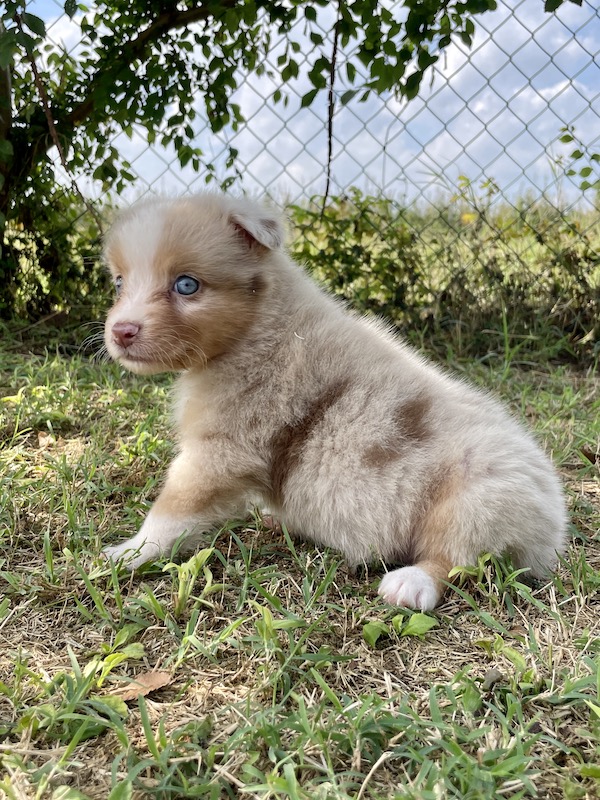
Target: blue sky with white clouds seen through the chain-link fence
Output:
[(494, 111)]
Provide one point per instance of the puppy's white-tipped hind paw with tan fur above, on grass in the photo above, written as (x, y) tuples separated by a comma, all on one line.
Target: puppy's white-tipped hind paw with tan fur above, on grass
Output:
[(419, 586)]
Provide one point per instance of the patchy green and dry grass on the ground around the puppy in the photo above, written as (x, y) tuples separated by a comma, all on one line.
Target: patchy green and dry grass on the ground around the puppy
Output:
[(262, 667)]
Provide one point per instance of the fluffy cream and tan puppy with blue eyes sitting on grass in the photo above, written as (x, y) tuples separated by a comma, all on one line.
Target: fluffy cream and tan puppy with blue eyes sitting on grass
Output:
[(288, 400)]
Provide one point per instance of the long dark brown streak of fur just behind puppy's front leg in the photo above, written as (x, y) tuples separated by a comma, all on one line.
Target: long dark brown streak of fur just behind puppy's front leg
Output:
[(287, 445)]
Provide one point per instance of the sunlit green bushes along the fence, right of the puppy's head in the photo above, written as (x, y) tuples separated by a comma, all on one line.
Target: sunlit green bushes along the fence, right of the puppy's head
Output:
[(465, 275)]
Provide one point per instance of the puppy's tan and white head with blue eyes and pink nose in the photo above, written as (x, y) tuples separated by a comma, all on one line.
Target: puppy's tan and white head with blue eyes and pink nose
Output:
[(190, 276)]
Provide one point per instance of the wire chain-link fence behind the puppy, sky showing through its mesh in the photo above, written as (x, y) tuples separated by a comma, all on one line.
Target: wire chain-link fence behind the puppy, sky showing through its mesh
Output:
[(481, 192)]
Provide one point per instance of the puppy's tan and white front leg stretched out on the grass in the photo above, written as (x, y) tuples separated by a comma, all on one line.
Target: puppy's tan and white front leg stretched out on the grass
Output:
[(191, 501)]
